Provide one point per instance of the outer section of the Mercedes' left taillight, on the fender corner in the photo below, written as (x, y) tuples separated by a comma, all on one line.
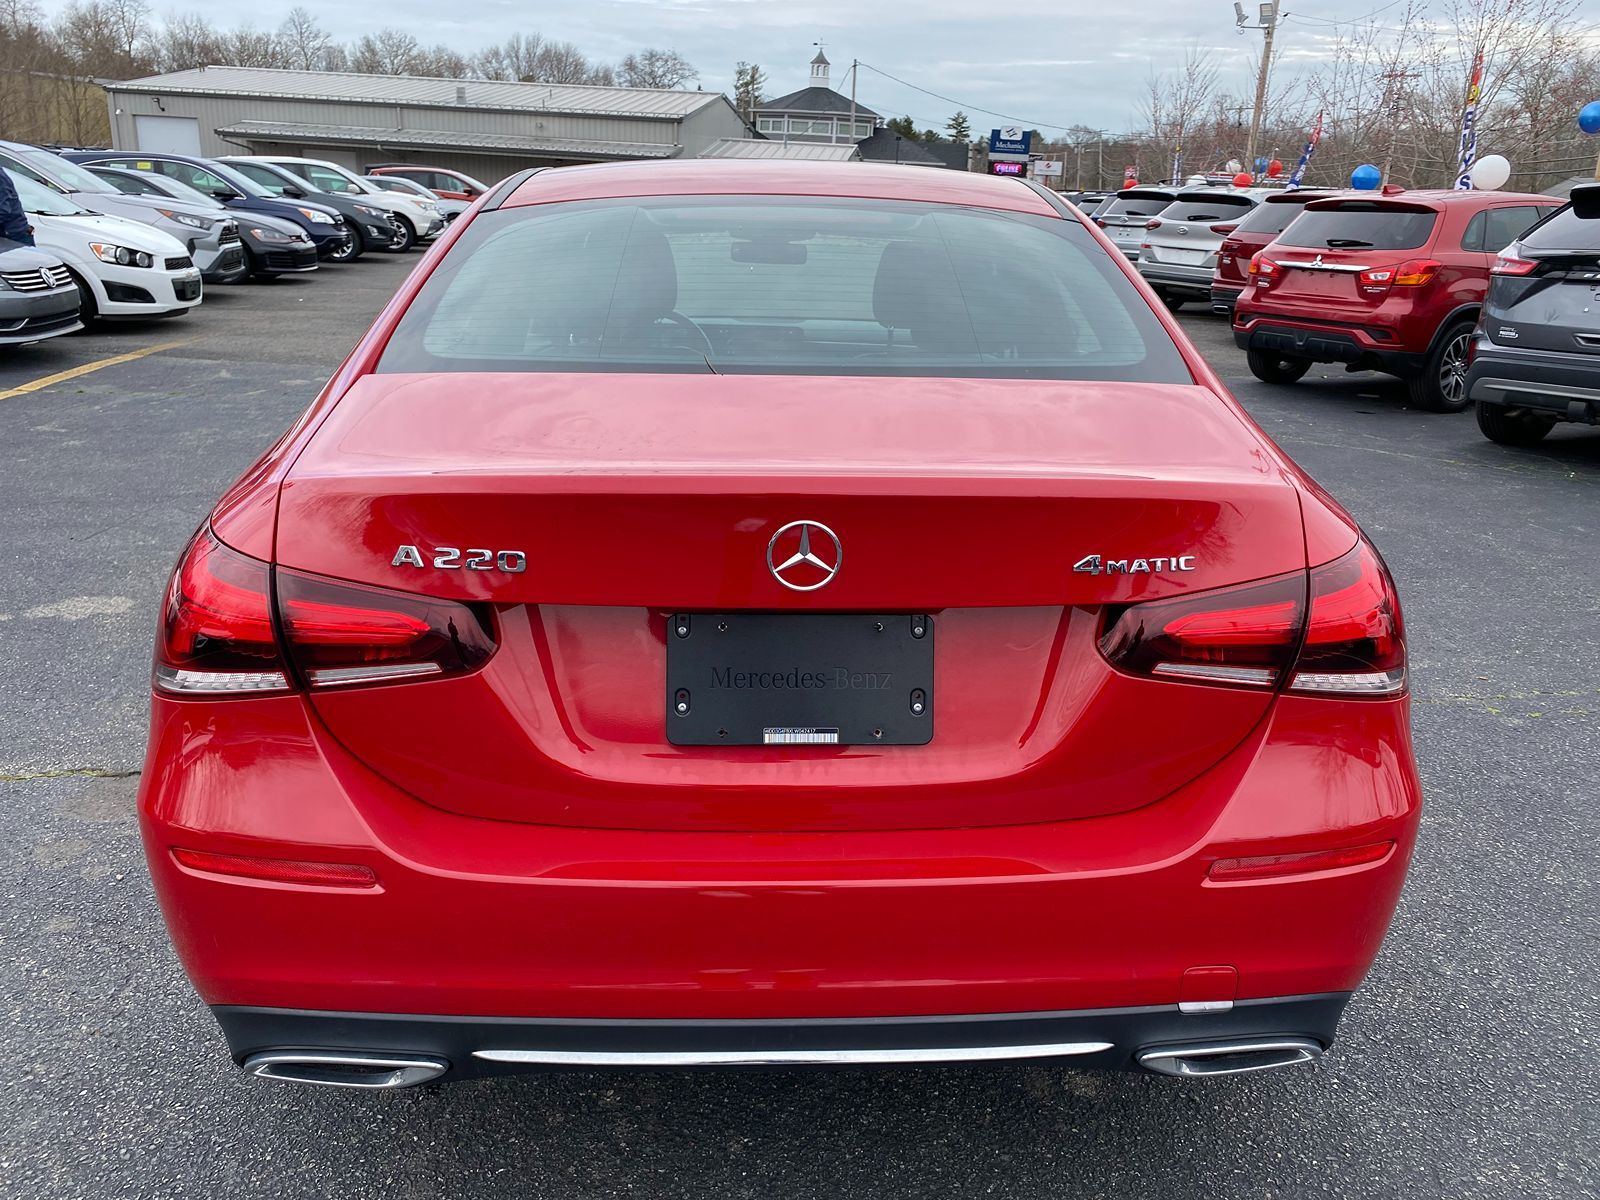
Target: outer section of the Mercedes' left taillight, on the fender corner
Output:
[(217, 628)]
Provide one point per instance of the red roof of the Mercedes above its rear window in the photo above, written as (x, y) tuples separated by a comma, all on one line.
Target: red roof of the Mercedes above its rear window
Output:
[(735, 177)]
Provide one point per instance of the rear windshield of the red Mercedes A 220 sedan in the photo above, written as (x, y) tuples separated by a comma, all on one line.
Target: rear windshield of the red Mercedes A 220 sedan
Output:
[(782, 286)]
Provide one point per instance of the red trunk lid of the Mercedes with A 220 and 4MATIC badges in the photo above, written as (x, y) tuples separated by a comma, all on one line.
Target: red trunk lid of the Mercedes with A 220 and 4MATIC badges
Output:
[(657, 497)]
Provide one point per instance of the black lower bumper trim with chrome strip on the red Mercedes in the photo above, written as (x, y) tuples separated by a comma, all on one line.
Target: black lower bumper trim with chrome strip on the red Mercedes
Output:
[(1108, 1039)]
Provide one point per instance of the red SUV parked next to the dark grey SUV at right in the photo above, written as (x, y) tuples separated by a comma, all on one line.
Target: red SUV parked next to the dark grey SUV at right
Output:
[(1385, 284)]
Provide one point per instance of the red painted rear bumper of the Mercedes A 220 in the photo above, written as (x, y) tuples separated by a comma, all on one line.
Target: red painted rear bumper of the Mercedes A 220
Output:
[(495, 919)]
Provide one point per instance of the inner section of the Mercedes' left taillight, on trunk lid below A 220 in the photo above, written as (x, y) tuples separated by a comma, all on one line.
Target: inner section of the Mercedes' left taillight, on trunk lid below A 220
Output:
[(340, 633)]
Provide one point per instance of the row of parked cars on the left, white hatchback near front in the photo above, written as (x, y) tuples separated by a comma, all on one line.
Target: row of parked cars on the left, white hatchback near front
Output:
[(140, 234)]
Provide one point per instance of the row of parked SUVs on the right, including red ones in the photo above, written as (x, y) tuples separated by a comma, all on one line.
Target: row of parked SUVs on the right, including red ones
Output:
[(1471, 298)]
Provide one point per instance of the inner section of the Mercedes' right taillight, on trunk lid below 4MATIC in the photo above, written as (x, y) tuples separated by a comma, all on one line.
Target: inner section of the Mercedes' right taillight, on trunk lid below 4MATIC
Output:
[(1236, 636)]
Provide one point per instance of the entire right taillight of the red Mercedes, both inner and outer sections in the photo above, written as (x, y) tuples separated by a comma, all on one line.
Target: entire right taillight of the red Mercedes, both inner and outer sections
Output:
[(1351, 642)]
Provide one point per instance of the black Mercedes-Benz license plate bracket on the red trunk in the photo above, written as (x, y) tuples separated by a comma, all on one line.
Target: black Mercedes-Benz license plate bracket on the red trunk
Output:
[(799, 679)]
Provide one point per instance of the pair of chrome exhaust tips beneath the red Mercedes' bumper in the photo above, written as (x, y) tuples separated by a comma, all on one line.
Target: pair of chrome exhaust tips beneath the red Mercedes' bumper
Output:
[(383, 1073)]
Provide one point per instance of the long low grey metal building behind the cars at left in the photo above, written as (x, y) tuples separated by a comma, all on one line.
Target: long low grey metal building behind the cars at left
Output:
[(486, 129)]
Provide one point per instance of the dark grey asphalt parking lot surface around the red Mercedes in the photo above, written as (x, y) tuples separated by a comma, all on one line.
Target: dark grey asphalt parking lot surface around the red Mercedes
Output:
[(1465, 1066)]
